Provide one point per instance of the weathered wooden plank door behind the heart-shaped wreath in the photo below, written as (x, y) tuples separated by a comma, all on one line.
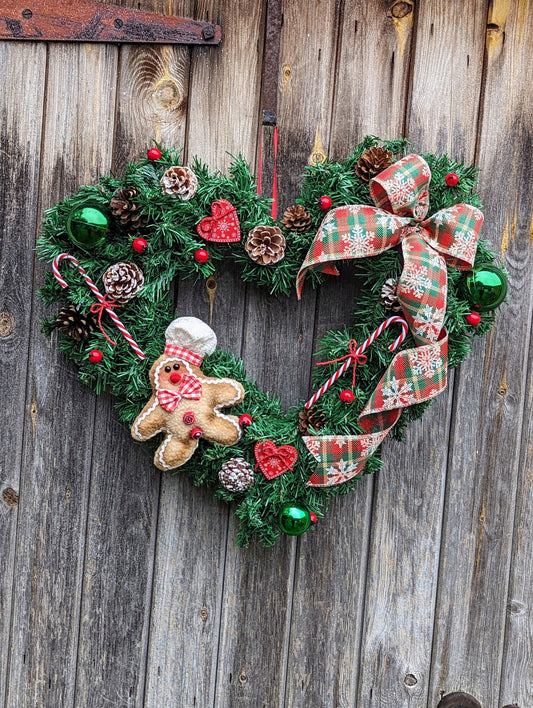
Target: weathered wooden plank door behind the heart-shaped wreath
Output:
[(121, 586)]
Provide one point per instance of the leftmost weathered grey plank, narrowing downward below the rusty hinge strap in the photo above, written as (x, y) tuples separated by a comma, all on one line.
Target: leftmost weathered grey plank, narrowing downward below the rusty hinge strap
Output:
[(21, 107)]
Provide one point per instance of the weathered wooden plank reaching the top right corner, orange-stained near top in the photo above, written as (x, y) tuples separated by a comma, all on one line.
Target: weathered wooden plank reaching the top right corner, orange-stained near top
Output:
[(490, 400)]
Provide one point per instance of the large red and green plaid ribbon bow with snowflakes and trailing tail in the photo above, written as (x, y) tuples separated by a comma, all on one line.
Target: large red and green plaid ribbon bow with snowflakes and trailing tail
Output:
[(428, 244)]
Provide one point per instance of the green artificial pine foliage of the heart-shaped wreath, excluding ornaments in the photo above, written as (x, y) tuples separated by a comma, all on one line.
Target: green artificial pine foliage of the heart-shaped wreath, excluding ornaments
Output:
[(171, 234)]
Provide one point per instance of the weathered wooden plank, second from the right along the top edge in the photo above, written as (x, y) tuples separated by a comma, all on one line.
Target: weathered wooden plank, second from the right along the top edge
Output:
[(409, 492)]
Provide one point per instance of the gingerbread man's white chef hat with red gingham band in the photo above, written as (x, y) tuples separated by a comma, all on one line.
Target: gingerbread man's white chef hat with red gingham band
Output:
[(190, 339)]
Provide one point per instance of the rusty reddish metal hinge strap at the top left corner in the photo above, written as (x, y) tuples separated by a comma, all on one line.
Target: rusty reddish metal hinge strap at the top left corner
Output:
[(89, 21)]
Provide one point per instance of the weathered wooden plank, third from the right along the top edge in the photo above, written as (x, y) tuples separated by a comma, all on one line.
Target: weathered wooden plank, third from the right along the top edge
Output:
[(331, 574)]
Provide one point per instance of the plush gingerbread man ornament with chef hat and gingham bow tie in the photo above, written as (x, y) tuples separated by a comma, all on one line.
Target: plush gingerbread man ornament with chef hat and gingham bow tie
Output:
[(185, 404)]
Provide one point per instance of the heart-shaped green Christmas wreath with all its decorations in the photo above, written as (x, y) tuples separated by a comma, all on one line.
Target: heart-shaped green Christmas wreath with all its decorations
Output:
[(429, 275)]
